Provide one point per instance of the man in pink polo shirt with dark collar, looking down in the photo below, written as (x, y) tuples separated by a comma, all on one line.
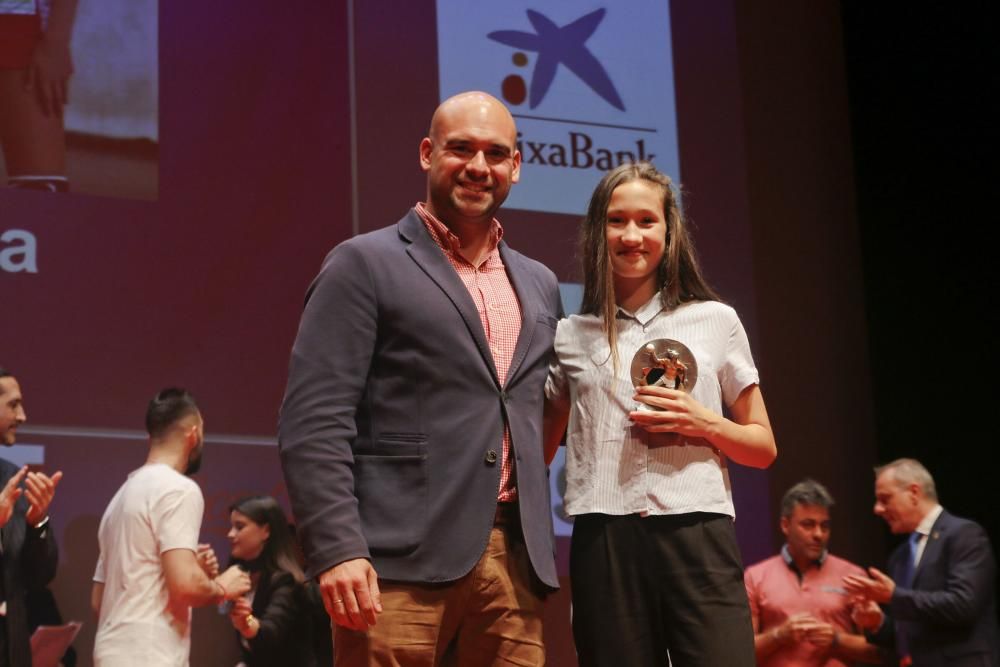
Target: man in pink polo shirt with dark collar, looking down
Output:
[(800, 609)]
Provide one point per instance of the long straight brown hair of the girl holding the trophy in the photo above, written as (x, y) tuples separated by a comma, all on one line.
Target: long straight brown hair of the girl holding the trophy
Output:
[(679, 275)]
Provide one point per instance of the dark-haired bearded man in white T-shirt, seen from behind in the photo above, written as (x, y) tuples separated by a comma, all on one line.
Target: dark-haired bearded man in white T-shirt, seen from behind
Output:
[(150, 572)]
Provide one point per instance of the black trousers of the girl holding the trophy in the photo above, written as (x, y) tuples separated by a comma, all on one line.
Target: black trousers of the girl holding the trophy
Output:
[(648, 587)]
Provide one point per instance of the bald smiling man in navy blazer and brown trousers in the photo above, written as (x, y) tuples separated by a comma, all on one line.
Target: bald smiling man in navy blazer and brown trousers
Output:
[(410, 432)]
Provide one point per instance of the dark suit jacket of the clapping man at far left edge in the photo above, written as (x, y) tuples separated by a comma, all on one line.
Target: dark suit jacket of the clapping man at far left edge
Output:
[(29, 558)]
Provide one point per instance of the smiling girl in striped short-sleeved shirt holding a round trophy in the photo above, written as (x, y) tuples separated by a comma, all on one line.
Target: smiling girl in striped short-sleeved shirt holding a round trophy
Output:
[(654, 564)]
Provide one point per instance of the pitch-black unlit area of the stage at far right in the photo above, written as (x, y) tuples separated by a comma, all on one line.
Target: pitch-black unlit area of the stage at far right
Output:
[(924, 128)]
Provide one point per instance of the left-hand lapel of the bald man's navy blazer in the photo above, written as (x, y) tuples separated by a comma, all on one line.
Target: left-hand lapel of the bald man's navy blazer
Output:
[(429, 257)]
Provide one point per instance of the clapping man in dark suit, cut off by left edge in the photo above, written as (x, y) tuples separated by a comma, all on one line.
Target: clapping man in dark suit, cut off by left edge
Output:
[(28, 555)]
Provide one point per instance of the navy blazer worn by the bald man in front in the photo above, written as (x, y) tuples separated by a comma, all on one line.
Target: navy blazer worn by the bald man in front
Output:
[(392, 423)]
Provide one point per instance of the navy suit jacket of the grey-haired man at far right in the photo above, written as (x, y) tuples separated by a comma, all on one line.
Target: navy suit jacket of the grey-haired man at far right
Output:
[(949, 614)]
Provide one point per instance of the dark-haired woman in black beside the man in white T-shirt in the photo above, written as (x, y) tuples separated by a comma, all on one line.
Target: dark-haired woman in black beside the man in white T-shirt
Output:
[(272, 621)]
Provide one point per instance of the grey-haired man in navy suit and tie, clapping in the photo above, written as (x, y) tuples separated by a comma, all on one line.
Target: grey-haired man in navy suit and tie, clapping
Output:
[(939, 598)]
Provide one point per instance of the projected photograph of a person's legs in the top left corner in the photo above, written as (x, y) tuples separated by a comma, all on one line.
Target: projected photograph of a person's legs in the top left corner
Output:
[(79, 97)]
